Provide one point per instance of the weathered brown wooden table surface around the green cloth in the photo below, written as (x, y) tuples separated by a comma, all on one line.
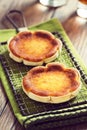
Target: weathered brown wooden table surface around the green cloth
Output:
[(35, 13)]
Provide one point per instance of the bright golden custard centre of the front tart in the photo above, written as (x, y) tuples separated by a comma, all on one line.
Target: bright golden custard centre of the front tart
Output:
[(52, 83)]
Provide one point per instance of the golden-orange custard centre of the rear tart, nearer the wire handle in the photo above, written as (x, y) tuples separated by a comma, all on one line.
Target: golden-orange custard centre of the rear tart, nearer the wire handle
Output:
[(33, 48)]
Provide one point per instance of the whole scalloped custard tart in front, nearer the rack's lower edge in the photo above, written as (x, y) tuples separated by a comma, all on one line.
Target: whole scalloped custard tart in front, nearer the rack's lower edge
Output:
[(53, 83)]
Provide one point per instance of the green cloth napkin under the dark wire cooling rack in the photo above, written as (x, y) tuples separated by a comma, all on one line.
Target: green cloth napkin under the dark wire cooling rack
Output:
[(28, 120)]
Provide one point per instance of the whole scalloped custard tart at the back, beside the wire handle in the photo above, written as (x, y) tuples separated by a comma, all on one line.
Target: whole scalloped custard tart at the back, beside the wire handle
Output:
[(34, 48)]
